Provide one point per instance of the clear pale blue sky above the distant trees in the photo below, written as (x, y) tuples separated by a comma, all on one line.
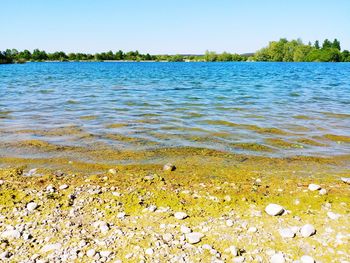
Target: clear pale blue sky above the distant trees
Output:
[(168, 26)]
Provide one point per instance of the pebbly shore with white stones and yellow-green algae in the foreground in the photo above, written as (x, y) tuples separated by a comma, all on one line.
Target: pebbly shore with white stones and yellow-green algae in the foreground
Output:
[(211, 208)]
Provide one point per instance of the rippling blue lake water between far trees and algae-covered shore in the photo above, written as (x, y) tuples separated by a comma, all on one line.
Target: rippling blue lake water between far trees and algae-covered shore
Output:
[(236, 107)]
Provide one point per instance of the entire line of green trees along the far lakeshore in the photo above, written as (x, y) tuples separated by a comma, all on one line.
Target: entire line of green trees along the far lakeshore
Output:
[(282, 50)]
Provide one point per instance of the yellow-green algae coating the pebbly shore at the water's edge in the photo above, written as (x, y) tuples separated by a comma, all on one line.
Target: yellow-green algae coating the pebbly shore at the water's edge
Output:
[(200, 186)]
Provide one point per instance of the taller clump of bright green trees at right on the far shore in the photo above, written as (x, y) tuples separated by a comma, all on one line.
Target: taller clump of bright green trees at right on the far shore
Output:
[(297, 51)]
